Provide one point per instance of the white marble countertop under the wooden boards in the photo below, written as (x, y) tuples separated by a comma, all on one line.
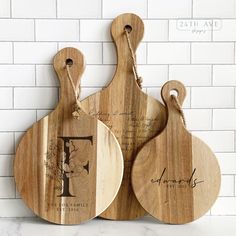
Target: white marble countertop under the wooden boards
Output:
[(206, 226)]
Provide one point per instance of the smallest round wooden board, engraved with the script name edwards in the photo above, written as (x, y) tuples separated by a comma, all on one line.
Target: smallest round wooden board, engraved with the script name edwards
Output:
[(176, 176)]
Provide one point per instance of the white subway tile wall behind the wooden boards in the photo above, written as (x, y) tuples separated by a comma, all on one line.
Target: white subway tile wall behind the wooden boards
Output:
[(188, 40)]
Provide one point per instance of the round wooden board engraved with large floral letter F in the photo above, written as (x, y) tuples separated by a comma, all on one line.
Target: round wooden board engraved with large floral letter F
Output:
[(68, 170)]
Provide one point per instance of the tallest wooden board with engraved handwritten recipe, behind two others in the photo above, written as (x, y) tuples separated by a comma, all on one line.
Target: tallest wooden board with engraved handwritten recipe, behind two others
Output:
[(132, 115)]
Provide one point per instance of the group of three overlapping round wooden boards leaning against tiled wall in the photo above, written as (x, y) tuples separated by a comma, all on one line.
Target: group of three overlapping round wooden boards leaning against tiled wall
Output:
[(118, 154)]
